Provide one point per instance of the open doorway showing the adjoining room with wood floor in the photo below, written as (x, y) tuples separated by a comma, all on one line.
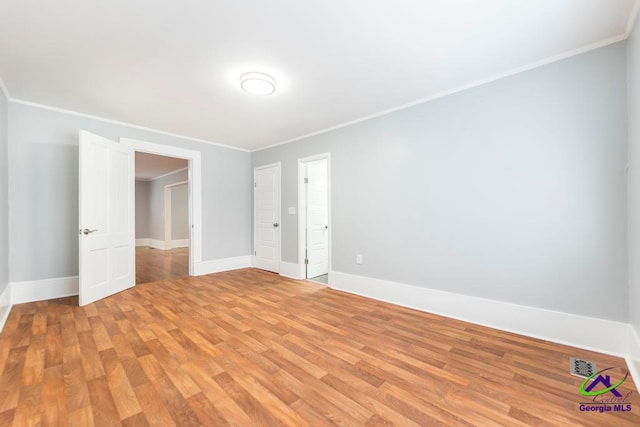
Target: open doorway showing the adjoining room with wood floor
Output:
[(162, 218)]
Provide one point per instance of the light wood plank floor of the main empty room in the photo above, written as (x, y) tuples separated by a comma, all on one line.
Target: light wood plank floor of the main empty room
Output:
[(251, 348)]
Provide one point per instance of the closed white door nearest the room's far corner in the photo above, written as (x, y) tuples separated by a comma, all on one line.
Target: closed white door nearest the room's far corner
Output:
[(267, 218)]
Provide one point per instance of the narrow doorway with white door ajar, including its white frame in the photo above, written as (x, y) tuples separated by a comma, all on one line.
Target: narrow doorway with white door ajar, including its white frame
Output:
[(314, 219)]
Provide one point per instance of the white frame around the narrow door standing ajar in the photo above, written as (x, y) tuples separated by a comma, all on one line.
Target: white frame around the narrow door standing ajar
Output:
[(302, 212)]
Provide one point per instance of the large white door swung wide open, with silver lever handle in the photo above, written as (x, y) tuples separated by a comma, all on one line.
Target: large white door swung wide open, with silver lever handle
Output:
[(107, 229)]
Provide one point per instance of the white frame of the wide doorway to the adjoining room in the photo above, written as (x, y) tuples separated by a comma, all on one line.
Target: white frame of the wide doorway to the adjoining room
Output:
[(194, 173)]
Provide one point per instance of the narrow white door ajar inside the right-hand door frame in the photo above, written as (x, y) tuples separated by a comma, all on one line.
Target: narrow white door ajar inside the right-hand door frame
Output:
[(317, 219)]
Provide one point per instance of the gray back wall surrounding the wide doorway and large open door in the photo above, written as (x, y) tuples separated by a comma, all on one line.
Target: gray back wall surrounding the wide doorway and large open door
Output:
[(43, 191)]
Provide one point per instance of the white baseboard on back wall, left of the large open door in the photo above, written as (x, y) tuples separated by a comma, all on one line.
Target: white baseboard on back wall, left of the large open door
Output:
[(39, 290)]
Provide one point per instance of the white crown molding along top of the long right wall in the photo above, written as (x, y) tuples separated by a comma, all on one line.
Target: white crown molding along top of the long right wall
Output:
[(462, 88)]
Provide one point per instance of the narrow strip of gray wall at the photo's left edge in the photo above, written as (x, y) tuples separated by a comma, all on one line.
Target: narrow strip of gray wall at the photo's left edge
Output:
[(4, 200)]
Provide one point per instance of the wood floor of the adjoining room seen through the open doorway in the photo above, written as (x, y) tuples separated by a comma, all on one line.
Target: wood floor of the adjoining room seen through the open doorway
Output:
[(153, 265)]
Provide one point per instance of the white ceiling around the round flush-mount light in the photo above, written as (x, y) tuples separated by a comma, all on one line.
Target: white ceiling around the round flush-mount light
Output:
[(175, 66)]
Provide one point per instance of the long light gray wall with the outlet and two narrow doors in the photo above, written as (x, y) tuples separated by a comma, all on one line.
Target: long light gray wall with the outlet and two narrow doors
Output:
[(513, 191)]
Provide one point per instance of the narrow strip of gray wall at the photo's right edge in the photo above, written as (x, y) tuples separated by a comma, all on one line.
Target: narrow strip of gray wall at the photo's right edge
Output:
[(633, 58)]
